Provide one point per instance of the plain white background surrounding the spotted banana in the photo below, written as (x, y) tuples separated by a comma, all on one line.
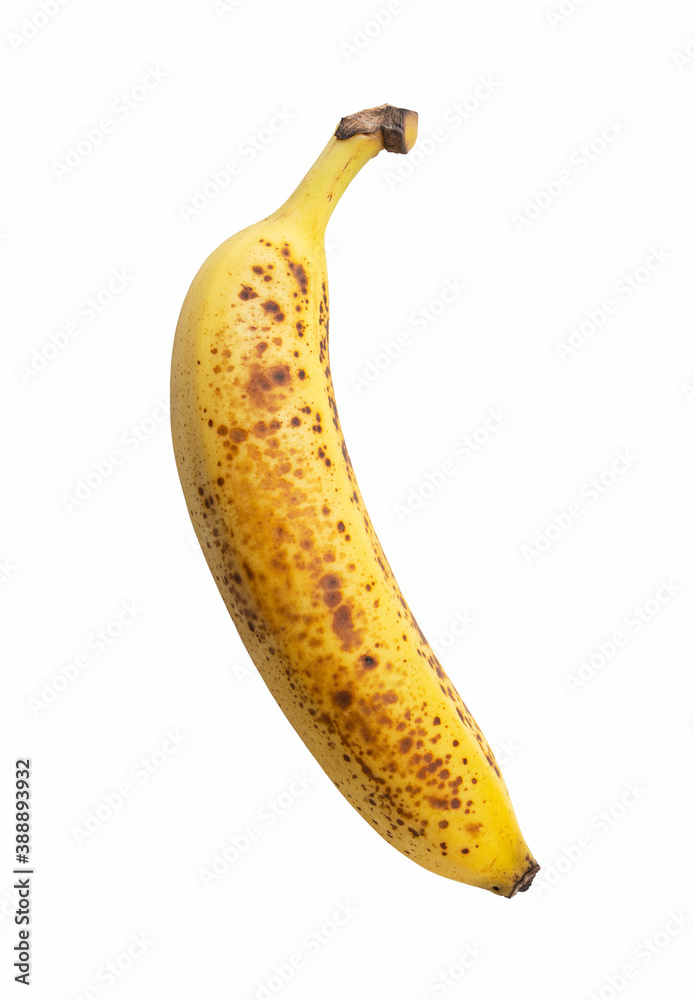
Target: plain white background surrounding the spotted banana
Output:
[(597, 754)]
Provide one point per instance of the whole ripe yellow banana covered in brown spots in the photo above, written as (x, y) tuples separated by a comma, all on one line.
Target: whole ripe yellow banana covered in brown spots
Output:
[(277, 510)]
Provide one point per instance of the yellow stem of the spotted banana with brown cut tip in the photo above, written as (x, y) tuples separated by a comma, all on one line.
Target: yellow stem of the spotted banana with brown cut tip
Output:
[(357, 139)]
